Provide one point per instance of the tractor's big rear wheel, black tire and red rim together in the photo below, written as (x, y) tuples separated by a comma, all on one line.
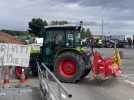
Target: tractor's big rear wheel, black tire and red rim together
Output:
[(69, 67)]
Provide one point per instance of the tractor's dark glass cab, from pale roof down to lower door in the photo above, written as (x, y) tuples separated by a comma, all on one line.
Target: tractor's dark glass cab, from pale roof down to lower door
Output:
[(59, 37)]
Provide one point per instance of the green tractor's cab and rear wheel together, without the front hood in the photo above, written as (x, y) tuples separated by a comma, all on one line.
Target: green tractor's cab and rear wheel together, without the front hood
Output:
[(63, 53)]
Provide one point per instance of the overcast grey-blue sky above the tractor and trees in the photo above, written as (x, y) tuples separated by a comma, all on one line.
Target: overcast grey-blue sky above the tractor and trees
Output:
[(117, 15)]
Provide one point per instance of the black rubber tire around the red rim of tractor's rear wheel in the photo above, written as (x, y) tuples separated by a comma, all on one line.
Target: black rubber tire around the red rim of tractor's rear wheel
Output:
[(79, 64)]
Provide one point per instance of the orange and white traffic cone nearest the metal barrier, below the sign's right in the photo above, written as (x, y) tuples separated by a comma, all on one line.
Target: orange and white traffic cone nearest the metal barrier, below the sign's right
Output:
[(23, 81)]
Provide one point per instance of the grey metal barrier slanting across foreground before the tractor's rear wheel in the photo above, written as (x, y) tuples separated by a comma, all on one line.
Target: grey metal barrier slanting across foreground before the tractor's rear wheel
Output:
[(51, 87)]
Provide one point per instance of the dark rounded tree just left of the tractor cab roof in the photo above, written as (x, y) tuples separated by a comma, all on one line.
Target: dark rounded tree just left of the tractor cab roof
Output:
[(36, 25)]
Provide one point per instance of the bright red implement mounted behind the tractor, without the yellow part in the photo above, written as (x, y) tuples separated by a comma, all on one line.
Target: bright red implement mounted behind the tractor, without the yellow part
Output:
[(104, 67)]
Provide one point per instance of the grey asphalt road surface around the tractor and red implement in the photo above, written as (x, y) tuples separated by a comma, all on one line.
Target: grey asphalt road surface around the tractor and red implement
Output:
[(88, 89)]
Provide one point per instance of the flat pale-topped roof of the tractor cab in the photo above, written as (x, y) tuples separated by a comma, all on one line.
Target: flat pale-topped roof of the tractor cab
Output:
[(63, 27)]
